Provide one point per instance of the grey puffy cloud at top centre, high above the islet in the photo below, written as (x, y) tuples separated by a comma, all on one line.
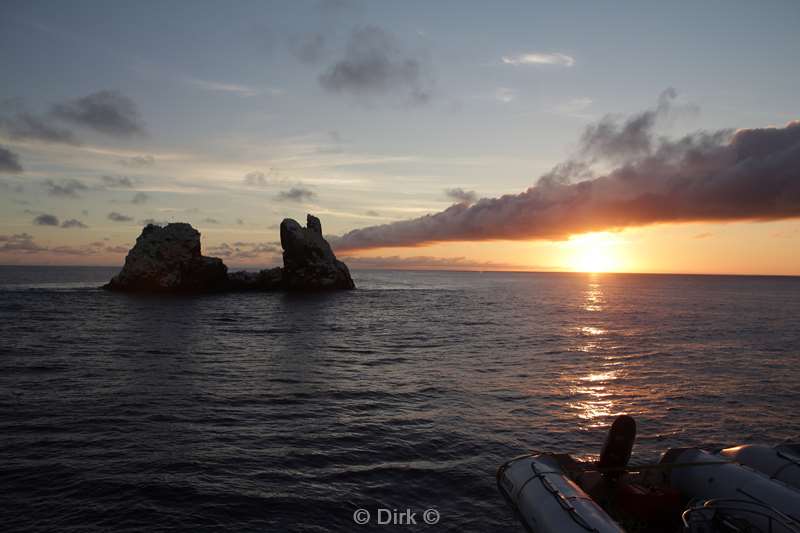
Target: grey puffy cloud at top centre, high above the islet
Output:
[(374, 63)]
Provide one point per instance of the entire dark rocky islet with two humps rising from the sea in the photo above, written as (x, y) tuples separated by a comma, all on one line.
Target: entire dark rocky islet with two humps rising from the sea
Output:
[(168, 259)]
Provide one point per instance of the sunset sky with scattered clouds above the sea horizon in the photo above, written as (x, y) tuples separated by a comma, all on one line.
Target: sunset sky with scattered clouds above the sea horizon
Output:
[(582, 136)]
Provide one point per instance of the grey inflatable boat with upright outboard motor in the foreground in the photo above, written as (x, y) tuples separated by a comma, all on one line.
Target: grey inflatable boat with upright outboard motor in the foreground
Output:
[(745, 489)]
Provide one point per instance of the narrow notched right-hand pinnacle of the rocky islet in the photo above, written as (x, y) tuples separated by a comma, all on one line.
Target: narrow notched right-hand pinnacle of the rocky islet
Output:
[(308, 261)]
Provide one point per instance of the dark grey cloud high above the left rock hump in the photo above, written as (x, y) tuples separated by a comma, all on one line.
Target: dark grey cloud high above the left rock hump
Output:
[(108, 112)]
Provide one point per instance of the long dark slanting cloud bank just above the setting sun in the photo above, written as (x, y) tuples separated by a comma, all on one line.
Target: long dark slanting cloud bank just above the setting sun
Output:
[(748, 174)]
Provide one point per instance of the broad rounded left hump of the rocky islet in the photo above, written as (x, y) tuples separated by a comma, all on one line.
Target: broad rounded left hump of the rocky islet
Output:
[(168, 259)]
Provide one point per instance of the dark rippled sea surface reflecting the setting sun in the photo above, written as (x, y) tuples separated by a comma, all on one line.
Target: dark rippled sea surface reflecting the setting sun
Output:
[(276, 412)]
